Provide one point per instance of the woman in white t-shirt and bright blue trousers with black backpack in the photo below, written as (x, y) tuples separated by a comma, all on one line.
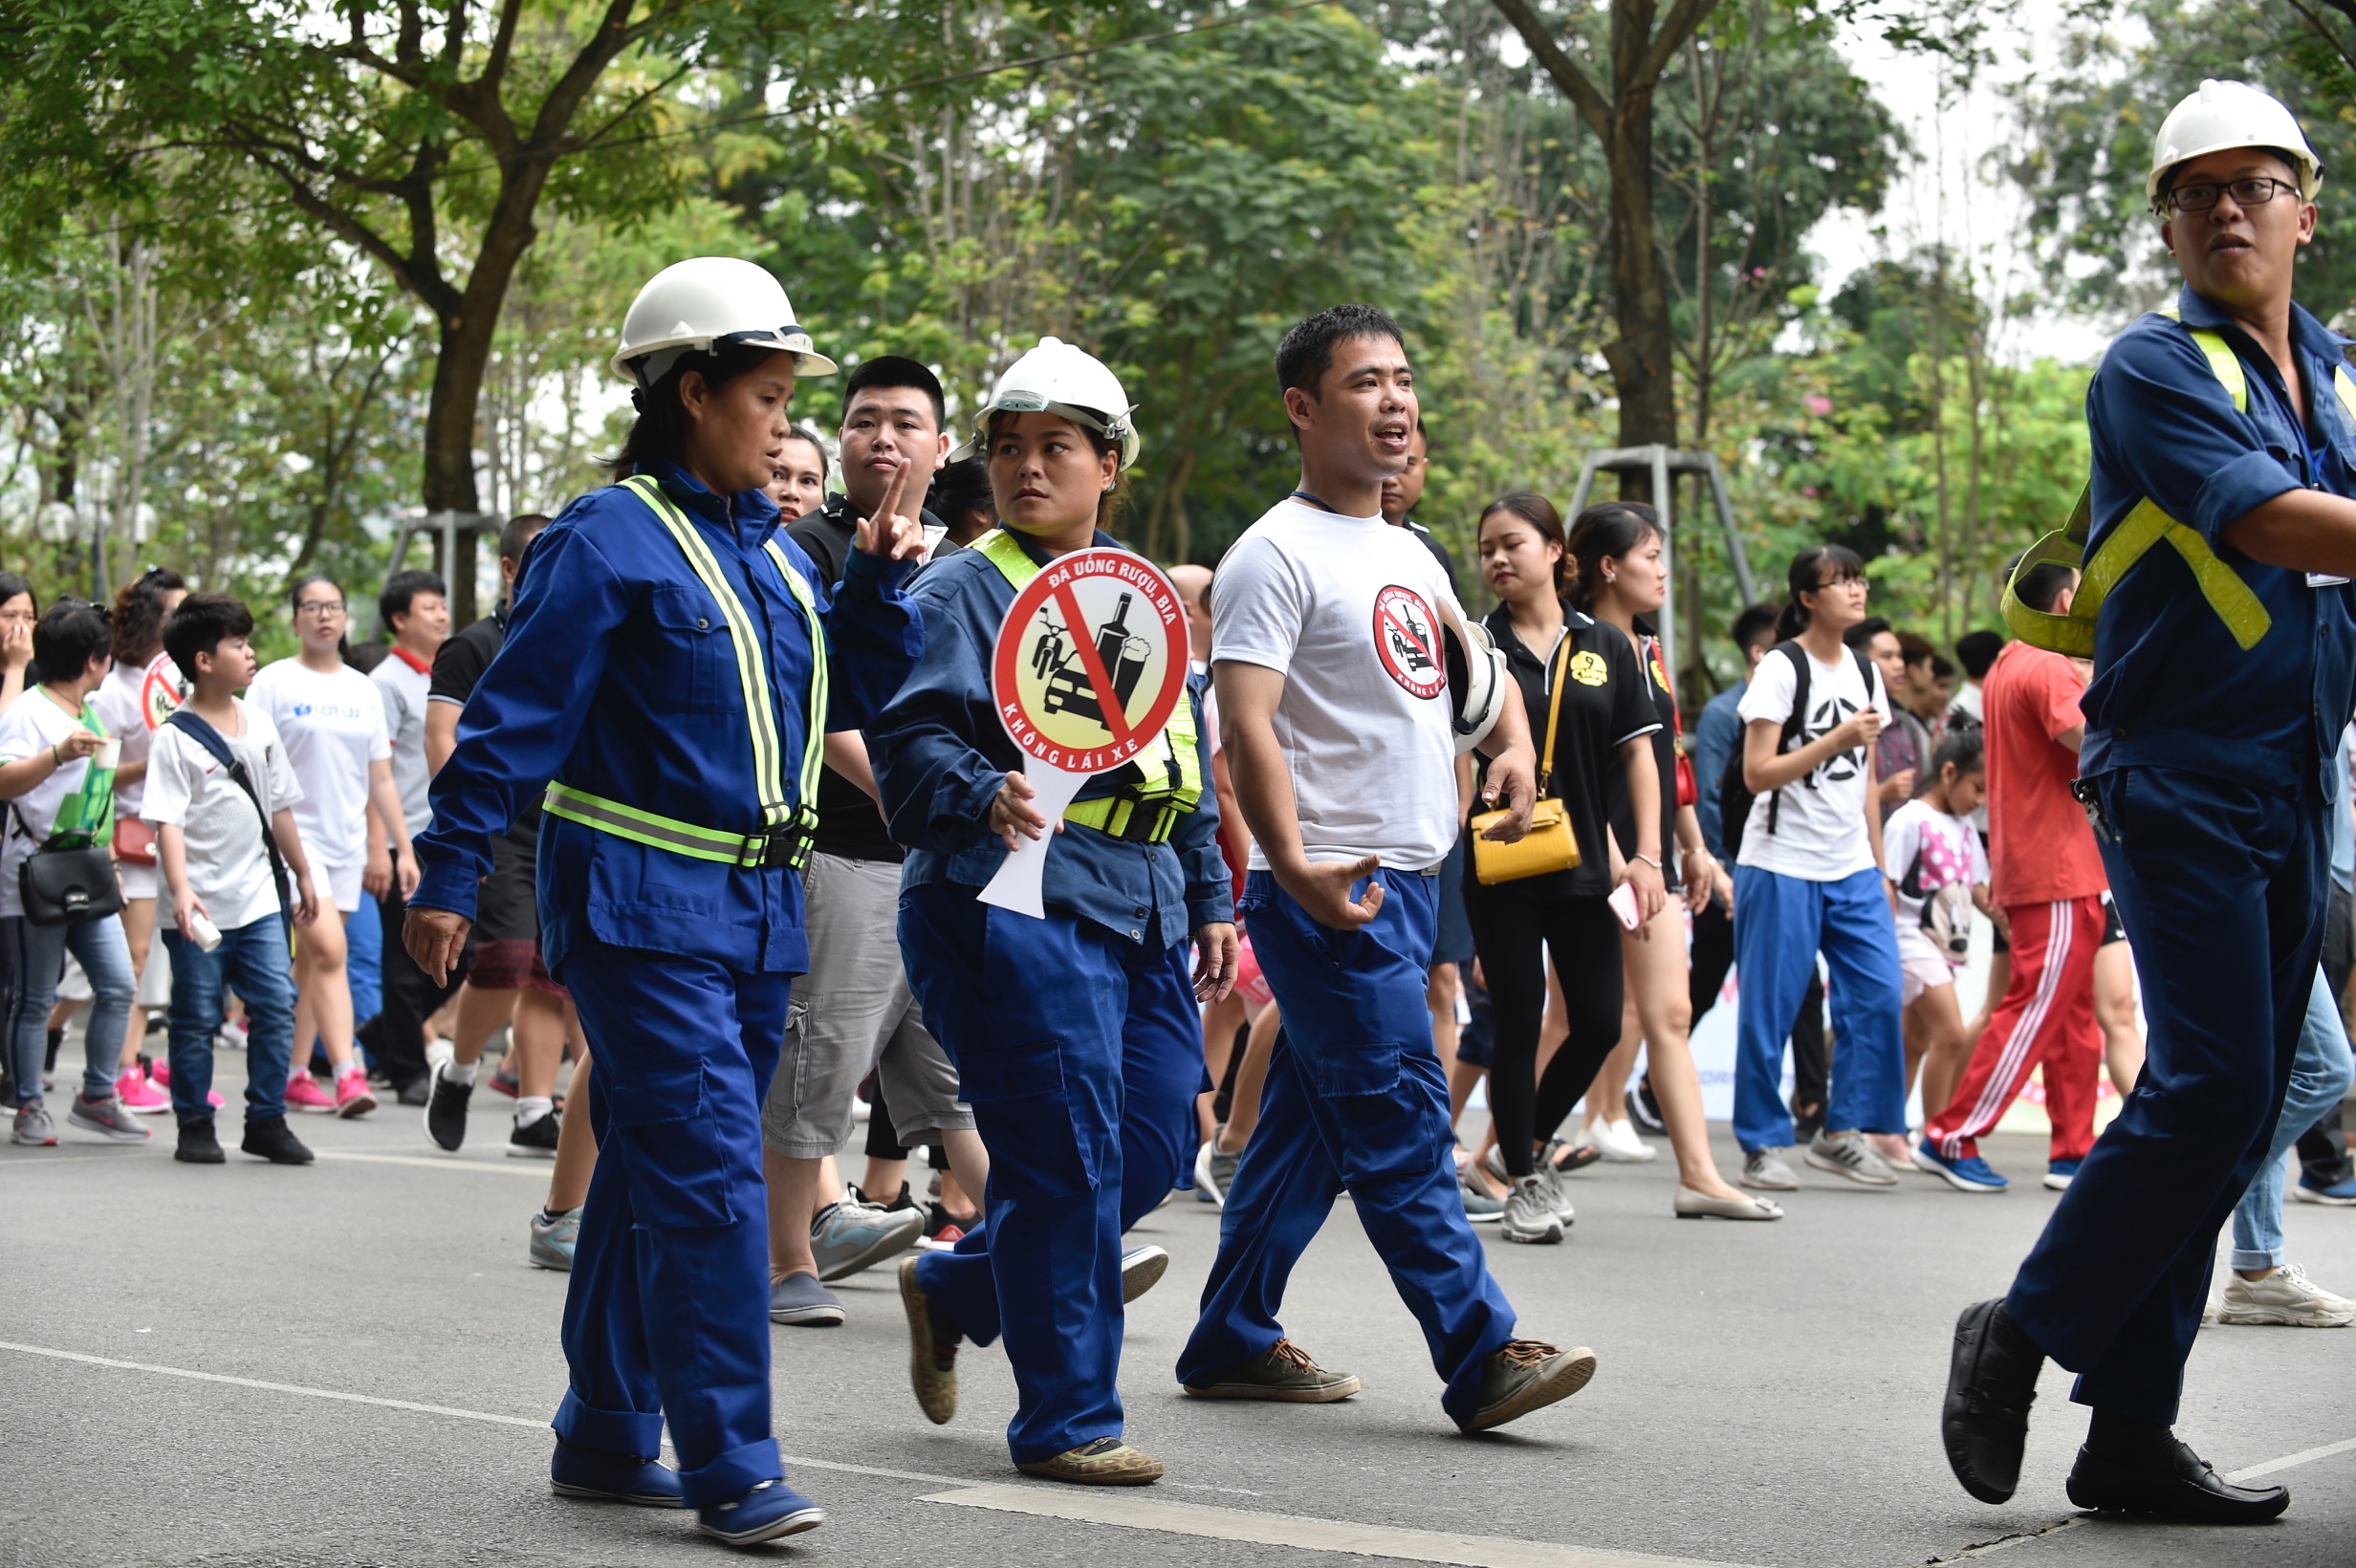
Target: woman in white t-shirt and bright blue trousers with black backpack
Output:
[(1811, 879)]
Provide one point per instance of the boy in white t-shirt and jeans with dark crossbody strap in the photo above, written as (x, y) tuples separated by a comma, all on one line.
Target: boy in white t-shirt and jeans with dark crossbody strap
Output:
[(220, 797)]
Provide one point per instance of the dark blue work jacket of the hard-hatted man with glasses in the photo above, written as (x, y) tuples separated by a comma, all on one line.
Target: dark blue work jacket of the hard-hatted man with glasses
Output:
[(2171, 684)]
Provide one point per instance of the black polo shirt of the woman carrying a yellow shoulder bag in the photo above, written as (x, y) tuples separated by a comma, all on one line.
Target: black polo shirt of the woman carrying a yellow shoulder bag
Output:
[(1603, 707)]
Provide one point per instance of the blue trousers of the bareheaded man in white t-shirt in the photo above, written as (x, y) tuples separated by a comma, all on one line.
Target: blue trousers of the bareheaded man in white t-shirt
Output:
[(1354, 1101)]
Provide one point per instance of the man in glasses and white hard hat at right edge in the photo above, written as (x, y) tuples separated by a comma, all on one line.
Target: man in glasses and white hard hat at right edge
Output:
[(2225, 670)]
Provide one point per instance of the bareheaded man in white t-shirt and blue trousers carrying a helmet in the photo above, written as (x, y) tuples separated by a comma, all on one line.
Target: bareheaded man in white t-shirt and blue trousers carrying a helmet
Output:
[(1335, 700)]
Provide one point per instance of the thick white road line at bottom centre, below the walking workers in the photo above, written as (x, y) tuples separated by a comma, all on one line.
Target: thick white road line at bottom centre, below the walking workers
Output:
[(1139, 1513)]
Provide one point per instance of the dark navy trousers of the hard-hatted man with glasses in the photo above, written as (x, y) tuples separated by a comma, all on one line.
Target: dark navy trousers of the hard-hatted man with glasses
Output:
[(2223, 893)]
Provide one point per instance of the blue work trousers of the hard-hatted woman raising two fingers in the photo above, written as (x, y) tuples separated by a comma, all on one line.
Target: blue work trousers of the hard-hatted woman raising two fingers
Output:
[(668, 1308)]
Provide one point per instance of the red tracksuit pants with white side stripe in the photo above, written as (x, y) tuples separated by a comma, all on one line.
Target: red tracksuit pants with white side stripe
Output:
[(2046, 1018)]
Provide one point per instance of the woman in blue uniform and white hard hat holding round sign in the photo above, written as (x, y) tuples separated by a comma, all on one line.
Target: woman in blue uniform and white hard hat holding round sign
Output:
[(1078, 1035)]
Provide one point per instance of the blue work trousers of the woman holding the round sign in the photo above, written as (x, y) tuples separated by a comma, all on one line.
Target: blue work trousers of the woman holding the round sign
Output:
[(1080, 1054)]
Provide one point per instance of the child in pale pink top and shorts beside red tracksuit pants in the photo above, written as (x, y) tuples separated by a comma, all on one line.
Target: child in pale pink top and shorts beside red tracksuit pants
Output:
[(1938, 875)]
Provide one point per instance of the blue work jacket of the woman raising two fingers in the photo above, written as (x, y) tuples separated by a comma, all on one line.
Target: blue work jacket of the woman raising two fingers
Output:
[(618, 679)]
